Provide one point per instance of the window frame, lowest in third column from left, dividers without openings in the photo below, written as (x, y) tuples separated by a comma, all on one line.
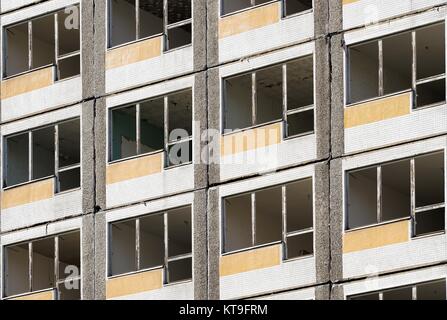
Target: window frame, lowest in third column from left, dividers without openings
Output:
[(285, 234)]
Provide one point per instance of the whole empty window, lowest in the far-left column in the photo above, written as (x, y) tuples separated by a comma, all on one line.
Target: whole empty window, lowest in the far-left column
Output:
[(44, 264)]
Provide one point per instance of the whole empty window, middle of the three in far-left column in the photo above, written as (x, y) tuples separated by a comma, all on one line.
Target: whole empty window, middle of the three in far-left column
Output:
[(52, 151)]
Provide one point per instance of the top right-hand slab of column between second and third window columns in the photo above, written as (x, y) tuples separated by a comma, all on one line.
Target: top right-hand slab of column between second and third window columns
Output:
[(213, 13)]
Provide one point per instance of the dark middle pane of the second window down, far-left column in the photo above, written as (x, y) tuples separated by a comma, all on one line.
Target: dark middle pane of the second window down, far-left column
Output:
[(43, 153)]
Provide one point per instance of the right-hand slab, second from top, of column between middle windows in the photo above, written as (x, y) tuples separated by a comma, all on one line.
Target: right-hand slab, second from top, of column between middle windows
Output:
[(214, 125)]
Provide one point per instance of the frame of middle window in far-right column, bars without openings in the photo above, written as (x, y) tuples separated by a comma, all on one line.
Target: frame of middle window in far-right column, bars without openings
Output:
[(379, 199)]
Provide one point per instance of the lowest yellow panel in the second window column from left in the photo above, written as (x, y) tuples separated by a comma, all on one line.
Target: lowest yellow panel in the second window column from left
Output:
[(135, 283)]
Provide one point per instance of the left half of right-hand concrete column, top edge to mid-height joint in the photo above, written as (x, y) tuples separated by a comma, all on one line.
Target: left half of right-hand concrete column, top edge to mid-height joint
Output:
[(322, 78)]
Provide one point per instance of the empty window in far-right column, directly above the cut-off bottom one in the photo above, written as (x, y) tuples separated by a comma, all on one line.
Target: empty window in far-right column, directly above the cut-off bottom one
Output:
[(388, 192)]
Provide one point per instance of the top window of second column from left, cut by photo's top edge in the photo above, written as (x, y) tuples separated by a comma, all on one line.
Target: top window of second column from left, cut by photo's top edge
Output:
[(132, 20)]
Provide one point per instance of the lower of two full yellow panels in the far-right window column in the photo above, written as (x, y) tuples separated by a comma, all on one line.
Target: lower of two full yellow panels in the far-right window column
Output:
[(376, 237)]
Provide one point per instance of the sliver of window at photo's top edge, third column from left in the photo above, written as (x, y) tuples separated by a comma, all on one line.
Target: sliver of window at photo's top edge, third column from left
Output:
[(290, 7)]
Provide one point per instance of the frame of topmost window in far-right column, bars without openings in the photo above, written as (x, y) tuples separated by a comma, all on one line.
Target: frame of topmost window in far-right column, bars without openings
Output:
[(414, 80)]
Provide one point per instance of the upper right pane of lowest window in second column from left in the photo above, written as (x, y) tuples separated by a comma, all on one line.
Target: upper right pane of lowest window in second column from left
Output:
[(179, 232)]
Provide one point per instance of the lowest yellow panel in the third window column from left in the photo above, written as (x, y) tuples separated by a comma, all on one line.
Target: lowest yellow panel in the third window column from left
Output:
[(250, 260)]
